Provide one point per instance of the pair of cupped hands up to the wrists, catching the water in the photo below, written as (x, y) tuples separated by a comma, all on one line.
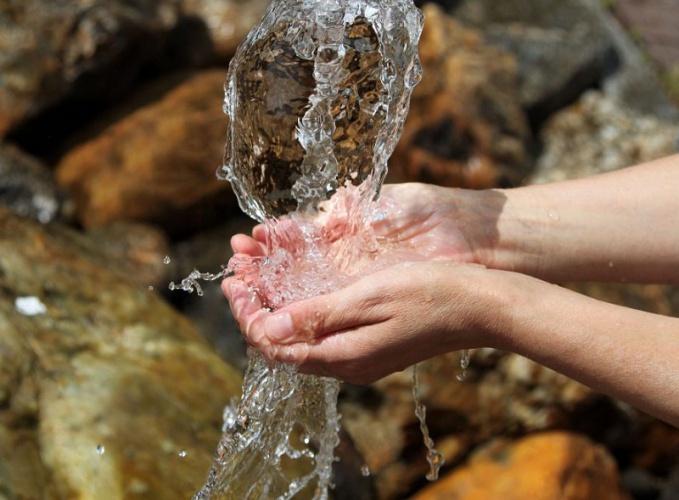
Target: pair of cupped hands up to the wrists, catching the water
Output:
[(400, 315)]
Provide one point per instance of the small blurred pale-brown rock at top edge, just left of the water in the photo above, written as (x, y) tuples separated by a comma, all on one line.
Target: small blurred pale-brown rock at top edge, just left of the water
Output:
[(229, 21)]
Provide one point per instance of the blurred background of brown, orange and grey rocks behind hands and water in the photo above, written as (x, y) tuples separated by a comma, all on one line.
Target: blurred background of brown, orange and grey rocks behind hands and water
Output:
[(111, 130)]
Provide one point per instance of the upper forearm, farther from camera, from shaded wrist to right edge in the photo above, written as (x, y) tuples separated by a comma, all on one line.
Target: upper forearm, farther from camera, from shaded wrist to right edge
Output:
[(621, 226)]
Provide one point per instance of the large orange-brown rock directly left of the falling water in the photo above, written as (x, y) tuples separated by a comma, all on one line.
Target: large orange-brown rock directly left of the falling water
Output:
[(157, 164)]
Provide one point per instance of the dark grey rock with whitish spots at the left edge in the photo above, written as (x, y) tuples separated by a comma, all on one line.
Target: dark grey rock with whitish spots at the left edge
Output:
[(27, 187)]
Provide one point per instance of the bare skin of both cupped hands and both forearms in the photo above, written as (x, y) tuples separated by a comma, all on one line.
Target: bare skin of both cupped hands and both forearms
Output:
[(486, 281)]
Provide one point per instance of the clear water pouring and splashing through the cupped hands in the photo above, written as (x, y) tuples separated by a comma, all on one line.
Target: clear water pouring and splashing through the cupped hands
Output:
[(316, 96)]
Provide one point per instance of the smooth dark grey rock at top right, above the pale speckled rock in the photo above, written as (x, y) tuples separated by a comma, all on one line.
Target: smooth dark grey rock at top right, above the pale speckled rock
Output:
[(561, 47)]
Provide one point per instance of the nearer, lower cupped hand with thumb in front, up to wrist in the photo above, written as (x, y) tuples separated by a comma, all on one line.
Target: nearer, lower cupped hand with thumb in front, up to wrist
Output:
[(381, 324)]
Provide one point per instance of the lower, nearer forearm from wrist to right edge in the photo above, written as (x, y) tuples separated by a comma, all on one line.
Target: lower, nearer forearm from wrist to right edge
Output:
[(628, 354)]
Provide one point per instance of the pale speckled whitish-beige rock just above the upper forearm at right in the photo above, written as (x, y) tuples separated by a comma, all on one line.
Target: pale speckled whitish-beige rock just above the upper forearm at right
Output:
[(597, 135)]
